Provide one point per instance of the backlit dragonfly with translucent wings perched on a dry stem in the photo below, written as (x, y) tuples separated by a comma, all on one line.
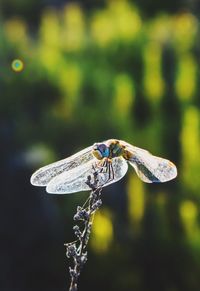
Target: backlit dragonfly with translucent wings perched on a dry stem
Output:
[(110, 160)]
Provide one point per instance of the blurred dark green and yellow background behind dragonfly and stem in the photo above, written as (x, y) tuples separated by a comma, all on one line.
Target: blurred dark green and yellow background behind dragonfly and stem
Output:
[(89, 71)]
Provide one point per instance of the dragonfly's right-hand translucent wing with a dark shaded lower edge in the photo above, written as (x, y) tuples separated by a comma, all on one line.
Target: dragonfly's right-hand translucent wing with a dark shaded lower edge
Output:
[(150, 168)]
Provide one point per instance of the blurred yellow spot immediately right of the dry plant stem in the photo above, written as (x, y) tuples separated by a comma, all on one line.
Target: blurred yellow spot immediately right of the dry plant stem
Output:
[(102, 232)]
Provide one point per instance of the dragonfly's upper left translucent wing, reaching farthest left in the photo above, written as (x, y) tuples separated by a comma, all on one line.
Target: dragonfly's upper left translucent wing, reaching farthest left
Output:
[(44, 175)]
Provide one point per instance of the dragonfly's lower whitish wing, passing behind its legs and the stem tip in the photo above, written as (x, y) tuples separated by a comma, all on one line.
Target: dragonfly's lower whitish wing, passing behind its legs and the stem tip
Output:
[(75, 179)]
